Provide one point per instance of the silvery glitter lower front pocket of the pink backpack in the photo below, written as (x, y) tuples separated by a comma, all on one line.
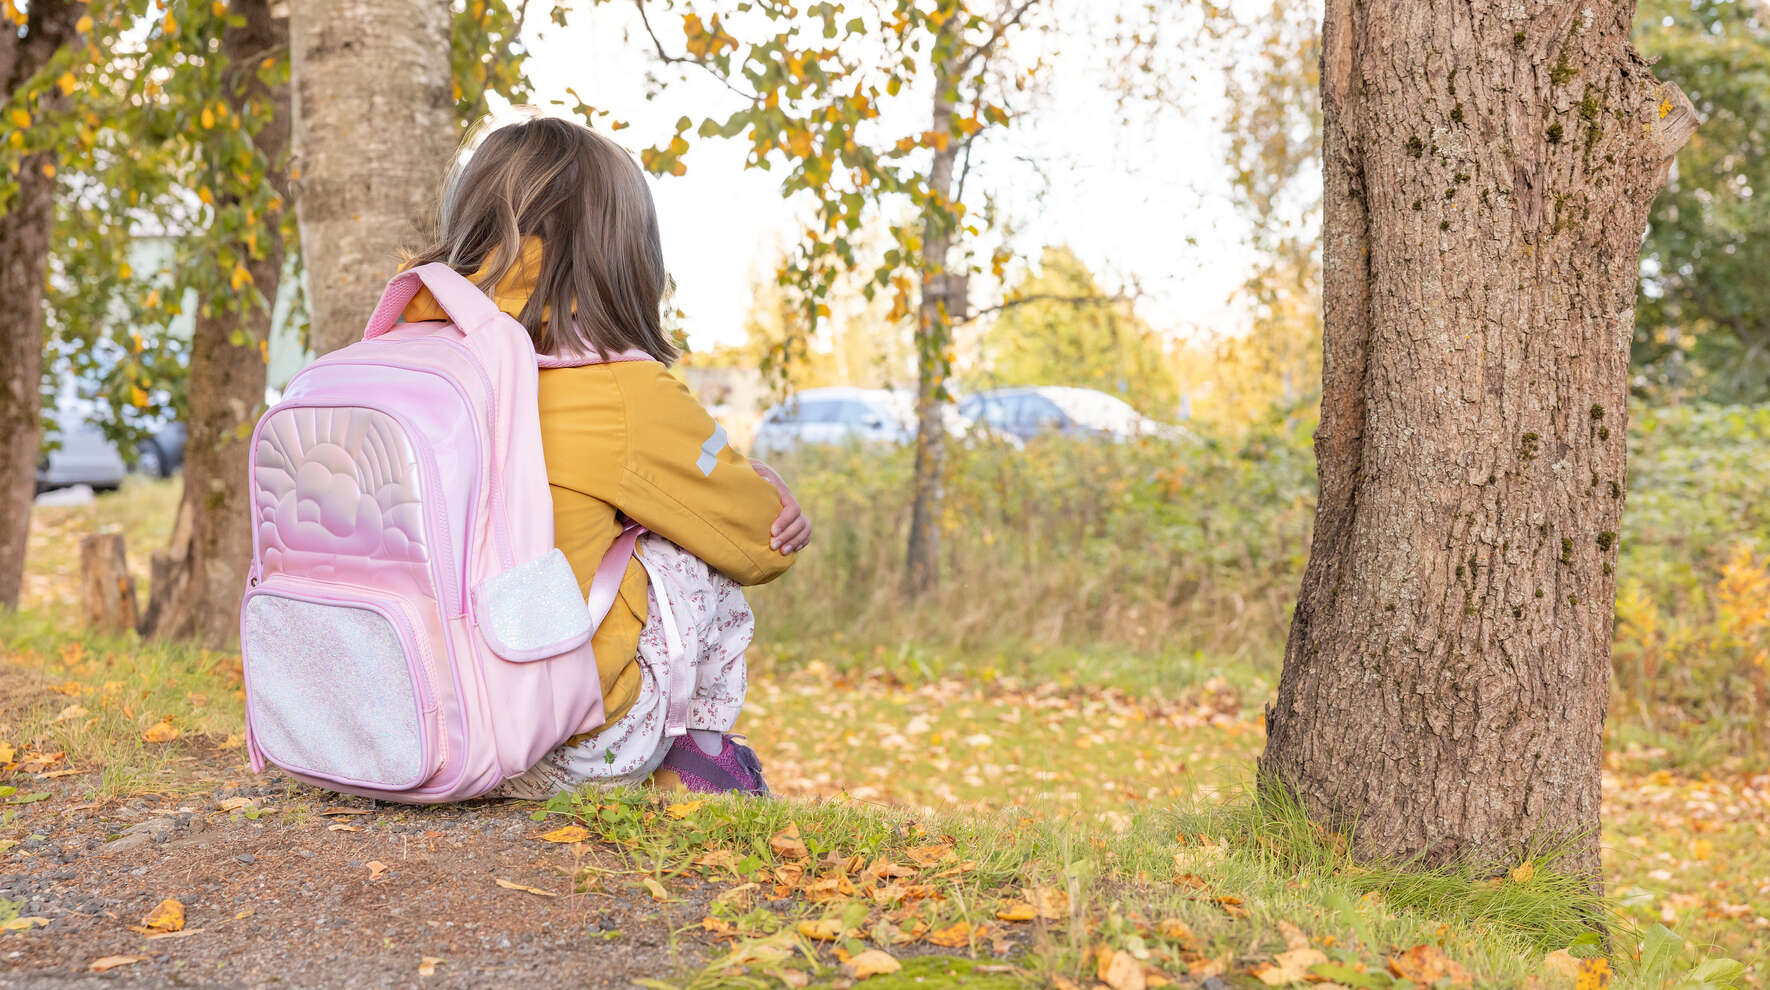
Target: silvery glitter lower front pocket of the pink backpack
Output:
[(339, 692)]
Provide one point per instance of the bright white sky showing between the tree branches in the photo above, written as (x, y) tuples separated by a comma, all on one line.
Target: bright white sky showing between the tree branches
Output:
[(1125, 197)]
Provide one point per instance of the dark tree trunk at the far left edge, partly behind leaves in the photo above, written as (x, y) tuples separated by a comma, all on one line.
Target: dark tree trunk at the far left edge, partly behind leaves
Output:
[(24, 267)]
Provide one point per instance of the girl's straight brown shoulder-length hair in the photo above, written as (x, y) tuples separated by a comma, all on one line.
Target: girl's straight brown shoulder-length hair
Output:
[(587, 201)]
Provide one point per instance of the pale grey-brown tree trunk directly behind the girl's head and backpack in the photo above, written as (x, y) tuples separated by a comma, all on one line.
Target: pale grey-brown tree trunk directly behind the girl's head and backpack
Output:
[(374, 130)]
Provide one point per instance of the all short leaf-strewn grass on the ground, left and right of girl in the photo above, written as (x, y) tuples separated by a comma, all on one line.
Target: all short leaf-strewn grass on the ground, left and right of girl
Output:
[(1098, 770)]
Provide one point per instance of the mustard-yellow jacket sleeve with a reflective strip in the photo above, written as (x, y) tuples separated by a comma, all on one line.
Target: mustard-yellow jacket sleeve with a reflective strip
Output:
[(688, 484)]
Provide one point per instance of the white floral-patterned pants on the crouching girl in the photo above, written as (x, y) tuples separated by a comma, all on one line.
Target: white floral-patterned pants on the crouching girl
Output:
[(691, 676)]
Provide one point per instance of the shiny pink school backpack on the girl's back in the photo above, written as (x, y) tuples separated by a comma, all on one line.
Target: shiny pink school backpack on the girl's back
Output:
[(410, 631)]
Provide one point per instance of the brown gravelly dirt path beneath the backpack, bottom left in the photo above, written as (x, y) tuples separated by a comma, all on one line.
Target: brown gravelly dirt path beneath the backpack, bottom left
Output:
[(302, 899)]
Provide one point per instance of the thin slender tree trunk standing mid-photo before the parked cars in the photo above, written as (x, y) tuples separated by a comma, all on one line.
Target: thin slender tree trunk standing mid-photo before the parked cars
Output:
[(934, 334)]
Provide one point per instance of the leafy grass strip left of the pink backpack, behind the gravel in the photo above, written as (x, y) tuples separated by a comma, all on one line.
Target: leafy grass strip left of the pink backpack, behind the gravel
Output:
[(119, 706)]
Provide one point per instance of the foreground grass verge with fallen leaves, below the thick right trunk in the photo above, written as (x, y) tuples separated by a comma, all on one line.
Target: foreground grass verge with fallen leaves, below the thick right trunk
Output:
[(1226, 893)]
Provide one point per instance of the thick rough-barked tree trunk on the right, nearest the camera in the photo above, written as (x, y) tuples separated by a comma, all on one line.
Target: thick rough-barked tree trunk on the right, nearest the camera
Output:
[(1488, 171)]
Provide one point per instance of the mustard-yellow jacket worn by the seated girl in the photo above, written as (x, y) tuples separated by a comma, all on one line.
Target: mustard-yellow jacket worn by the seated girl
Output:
[(631, 440)]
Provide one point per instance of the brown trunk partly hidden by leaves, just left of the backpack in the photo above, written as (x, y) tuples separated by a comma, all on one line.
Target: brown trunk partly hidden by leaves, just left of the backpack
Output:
[(197, 582)]
